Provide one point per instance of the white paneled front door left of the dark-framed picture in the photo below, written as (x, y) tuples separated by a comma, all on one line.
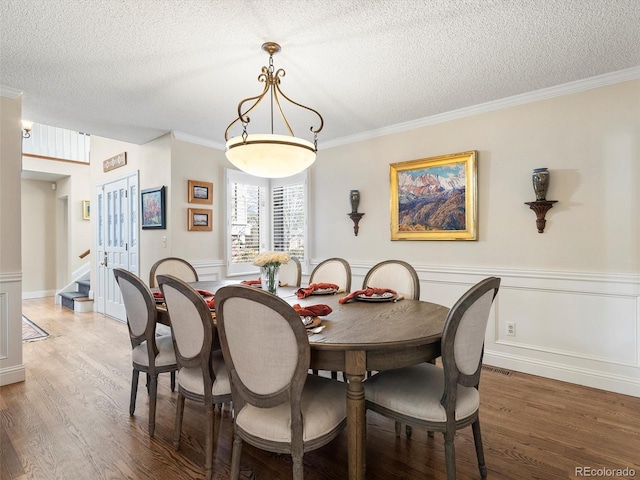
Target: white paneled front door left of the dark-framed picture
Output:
[(116, 240)]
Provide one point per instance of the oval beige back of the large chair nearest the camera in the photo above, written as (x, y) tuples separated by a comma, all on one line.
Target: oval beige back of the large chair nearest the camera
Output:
[(265, 347)]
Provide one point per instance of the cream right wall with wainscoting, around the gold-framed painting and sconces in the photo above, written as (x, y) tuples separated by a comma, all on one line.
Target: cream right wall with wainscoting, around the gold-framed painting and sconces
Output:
[(574, 290)]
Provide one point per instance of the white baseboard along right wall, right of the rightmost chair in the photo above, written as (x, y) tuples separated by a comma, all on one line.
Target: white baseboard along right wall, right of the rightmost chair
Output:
[(565, 373)]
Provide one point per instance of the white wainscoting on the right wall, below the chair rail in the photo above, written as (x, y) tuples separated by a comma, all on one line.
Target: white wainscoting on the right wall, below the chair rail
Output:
[(577, 327)]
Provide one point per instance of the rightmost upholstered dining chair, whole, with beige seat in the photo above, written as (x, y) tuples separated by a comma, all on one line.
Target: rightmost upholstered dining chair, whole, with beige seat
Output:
[(443, 399)]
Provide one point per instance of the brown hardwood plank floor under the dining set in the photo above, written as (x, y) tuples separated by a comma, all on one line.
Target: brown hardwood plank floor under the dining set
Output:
[(70, 420)]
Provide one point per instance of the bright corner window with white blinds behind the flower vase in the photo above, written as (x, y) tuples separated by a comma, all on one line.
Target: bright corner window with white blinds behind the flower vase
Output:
[(264, 214)]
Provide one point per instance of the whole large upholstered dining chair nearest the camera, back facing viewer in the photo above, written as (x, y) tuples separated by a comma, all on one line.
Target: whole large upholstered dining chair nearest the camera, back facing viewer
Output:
[(278, 406)]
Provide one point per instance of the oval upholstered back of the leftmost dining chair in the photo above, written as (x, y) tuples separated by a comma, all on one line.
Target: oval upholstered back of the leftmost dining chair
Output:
[(140, 308)]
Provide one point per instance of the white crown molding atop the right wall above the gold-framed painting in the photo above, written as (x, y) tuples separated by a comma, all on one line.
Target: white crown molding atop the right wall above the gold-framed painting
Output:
[(530, 97)]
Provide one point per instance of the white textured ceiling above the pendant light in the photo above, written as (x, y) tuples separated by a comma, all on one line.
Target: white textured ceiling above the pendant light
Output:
[(135, 69)]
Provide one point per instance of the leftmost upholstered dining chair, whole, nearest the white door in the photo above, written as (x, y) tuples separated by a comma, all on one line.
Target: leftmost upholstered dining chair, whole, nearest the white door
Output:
[(150, 354)]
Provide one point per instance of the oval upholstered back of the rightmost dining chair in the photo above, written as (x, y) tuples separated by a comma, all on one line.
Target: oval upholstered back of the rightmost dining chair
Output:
[(463, 335)]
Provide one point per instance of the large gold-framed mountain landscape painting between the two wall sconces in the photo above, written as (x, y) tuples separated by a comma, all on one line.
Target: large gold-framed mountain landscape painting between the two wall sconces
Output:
[(435, 198)]
